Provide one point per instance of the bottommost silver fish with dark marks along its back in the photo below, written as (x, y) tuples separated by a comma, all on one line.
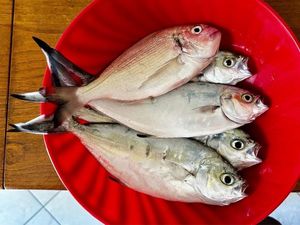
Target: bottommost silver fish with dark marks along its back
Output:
[(176, 169)]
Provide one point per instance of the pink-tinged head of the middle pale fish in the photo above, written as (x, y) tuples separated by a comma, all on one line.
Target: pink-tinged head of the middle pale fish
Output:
[(241, 106)]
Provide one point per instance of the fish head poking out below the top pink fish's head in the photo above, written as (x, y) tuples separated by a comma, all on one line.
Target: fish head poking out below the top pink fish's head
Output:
[(227, 68)]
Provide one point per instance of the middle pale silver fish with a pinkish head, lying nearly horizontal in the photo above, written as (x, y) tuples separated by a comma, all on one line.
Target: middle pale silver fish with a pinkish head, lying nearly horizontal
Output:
[(194, 109)]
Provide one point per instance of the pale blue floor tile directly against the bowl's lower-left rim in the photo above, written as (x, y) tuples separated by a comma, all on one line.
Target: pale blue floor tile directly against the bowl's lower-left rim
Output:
[(68, 212)]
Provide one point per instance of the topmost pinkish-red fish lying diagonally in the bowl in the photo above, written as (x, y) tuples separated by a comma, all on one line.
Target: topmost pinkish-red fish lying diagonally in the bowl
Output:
[(157, 64)]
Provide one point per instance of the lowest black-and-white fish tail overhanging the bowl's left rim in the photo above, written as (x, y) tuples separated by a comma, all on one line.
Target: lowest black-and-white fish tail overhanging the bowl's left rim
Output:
[(40, 125)]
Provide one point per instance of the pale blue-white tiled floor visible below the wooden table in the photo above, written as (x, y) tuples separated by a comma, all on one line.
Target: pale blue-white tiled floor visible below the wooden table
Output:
[(33, 207)]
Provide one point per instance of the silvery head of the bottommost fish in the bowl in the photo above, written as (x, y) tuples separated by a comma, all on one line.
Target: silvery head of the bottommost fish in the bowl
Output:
[(218, 181)]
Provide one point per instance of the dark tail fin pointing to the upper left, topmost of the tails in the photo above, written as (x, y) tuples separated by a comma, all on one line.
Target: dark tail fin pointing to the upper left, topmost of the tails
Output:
[(61, 68)]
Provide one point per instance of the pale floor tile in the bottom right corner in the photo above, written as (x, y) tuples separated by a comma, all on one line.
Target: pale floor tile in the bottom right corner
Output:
[(288, 213)]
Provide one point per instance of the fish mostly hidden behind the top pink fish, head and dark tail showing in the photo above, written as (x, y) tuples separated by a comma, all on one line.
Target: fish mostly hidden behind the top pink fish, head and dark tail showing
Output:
[(226, 68)]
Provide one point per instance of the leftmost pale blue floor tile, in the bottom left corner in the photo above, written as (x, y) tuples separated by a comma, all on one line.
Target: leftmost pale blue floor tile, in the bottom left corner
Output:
[(17, 206)]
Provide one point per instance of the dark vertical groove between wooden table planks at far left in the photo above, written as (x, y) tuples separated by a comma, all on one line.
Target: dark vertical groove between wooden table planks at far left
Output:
[(8, 86)]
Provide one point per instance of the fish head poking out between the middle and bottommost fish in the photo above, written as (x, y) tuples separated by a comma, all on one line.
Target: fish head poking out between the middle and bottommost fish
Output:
[(237, 147)]
